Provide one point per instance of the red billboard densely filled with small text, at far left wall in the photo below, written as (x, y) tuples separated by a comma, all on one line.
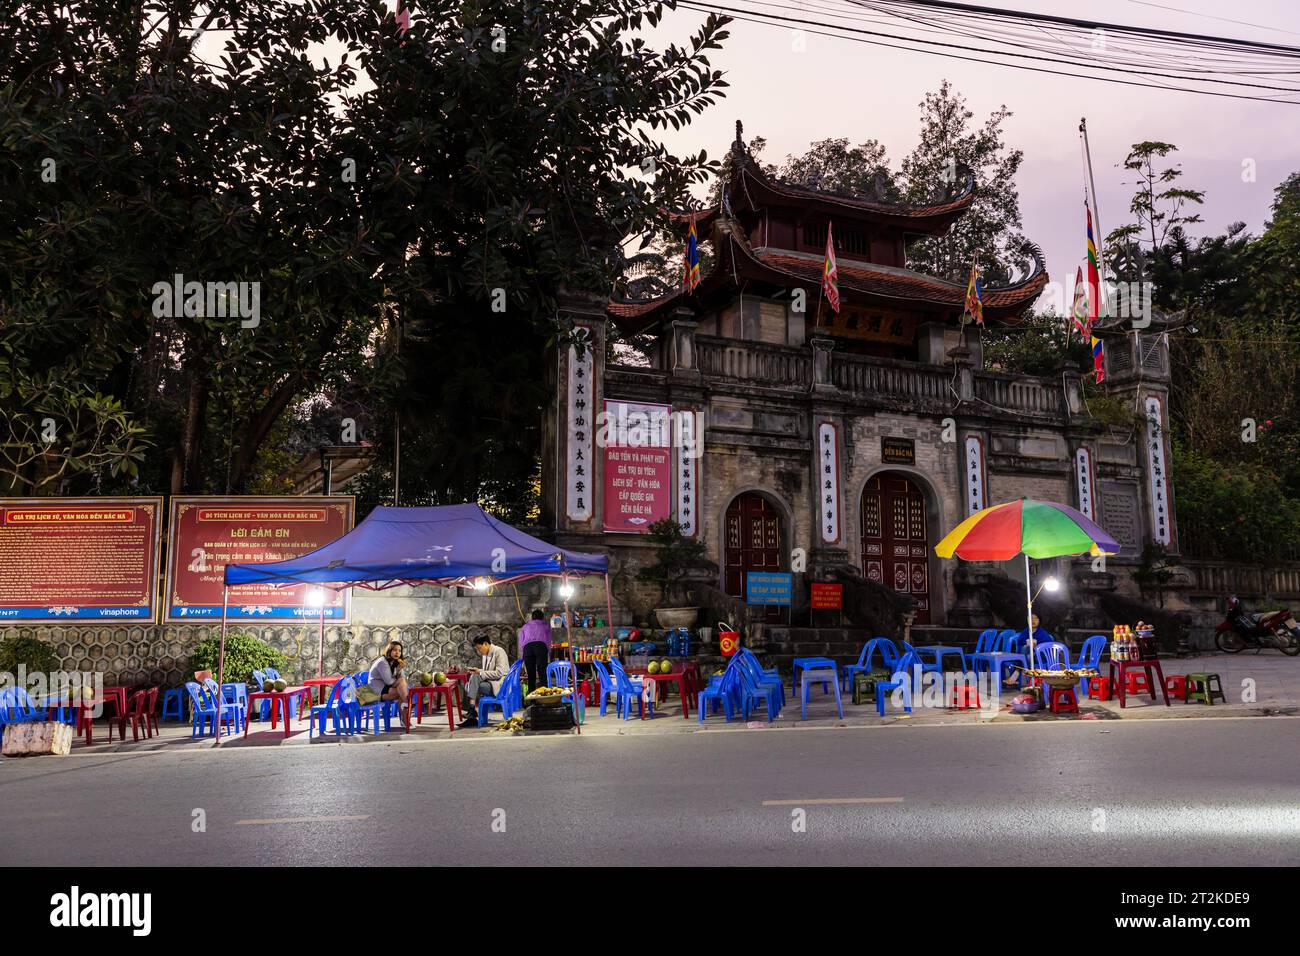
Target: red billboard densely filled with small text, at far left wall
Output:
[(79, 559)]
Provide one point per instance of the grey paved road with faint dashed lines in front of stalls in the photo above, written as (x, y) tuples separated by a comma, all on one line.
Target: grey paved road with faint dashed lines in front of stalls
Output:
[(1163, 793)]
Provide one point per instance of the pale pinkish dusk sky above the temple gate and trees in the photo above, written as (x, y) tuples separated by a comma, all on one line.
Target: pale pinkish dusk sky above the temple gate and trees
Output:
[(844, 89)]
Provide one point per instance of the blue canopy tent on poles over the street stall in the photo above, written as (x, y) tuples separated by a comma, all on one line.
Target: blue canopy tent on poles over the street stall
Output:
[(453, 546)]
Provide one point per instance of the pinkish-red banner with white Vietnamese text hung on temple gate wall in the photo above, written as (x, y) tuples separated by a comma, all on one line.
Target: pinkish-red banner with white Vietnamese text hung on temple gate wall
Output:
[(638, 443)]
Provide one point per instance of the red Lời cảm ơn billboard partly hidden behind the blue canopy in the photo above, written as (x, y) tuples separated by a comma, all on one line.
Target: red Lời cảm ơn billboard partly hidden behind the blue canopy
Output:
[(209, 534)]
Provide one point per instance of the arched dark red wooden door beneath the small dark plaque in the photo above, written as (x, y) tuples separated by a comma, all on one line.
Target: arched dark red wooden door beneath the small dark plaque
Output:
[(895, 540)]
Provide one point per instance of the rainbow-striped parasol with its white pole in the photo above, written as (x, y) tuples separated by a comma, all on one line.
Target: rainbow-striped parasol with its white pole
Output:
[(1029, 527)]
